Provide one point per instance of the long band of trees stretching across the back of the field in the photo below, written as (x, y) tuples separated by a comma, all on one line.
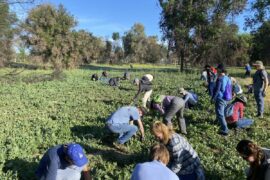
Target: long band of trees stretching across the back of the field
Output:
[(194, 32)]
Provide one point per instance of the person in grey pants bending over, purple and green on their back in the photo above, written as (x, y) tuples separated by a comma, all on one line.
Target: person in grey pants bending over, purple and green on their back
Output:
[(169, 106)]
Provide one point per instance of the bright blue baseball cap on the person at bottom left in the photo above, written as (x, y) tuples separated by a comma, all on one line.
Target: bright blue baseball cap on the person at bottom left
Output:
[(76, 154)]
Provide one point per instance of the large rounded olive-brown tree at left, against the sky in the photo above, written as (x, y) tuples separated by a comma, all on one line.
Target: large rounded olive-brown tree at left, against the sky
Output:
[(48, 34)]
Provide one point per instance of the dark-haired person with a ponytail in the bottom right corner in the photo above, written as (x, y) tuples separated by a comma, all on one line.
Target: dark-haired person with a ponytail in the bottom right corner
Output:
[(258, 159)]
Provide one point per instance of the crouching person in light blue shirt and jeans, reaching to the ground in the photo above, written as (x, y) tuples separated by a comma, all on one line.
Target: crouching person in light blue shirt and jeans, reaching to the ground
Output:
[(121, 122)]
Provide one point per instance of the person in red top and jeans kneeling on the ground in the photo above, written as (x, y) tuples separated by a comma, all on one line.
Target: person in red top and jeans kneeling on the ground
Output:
[(234, 113)]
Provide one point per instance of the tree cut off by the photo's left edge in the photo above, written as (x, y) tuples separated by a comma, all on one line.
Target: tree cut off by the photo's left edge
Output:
[(6, 33)]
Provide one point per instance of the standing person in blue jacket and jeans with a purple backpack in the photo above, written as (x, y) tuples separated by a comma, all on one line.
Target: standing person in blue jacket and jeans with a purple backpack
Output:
[(222, 94)]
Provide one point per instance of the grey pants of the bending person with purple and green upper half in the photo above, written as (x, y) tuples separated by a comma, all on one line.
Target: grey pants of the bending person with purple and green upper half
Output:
[(177, 107)]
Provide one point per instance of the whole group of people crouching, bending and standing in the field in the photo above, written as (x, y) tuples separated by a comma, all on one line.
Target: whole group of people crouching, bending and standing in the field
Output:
[(172, 157)]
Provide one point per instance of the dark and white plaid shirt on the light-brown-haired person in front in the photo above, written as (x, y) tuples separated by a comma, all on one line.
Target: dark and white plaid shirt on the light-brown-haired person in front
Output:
[(183, 158)]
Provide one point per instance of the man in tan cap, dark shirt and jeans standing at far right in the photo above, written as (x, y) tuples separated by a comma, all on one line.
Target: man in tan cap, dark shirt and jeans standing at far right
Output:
[(260, 84)]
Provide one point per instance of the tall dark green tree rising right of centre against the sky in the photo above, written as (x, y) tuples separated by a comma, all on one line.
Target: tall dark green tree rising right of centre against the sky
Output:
[(188, 25)]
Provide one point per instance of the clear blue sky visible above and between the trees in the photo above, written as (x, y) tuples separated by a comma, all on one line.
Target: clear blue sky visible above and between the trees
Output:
[(103, 17)]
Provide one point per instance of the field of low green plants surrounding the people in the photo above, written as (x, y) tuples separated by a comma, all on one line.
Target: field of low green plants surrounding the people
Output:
[(37, 113)]
